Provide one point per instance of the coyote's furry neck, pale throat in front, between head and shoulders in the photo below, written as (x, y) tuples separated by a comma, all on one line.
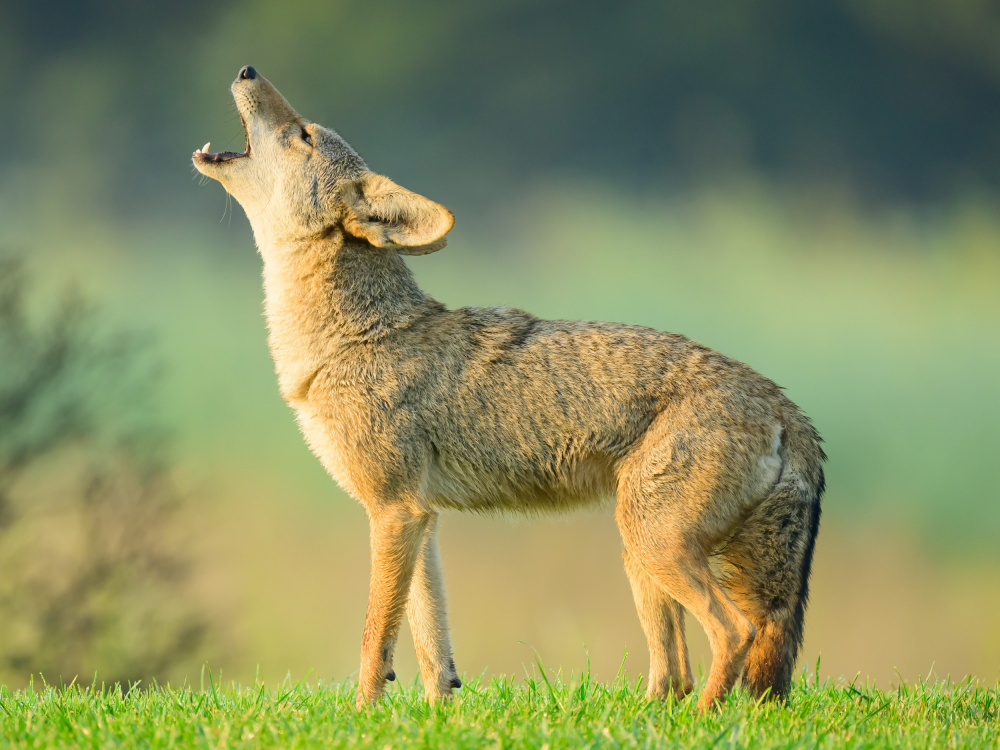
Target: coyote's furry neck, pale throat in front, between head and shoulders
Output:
[(322, 296)]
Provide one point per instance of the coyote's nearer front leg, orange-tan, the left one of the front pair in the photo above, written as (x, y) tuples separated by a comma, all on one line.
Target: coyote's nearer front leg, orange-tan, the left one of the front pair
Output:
[(396, 535)]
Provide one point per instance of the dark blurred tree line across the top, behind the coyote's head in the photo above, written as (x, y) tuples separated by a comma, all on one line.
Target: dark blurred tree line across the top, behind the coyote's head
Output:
[(896, 99)]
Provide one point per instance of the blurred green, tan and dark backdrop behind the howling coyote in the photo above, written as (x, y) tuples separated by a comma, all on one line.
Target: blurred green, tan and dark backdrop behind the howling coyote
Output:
[(812, 188)]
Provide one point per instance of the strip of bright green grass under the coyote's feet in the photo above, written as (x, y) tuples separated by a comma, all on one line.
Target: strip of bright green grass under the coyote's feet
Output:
[(502, 713)]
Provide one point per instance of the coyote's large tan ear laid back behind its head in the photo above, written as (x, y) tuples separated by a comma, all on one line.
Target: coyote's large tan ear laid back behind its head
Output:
[(387, 215)]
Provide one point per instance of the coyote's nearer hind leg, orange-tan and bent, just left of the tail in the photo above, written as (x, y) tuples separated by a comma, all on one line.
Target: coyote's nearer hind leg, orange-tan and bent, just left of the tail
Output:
[(666, 543)]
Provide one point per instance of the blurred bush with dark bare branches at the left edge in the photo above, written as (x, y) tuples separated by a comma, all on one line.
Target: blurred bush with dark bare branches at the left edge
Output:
[(93, 578)]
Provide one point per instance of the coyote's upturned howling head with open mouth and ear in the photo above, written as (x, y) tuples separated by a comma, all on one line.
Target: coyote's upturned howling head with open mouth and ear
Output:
[(298, 180)]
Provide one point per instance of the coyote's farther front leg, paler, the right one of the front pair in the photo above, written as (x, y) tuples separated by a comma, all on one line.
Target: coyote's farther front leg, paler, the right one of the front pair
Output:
[(428, 618)]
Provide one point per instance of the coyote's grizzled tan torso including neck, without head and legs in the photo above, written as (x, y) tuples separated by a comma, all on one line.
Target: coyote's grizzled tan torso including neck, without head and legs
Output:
[(493, 409)]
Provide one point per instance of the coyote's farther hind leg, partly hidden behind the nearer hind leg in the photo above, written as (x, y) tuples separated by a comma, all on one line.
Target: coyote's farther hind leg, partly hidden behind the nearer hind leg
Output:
[(662, 620)]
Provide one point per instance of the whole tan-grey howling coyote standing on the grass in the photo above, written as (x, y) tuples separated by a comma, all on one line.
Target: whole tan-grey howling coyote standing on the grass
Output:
[(414, 408)]
